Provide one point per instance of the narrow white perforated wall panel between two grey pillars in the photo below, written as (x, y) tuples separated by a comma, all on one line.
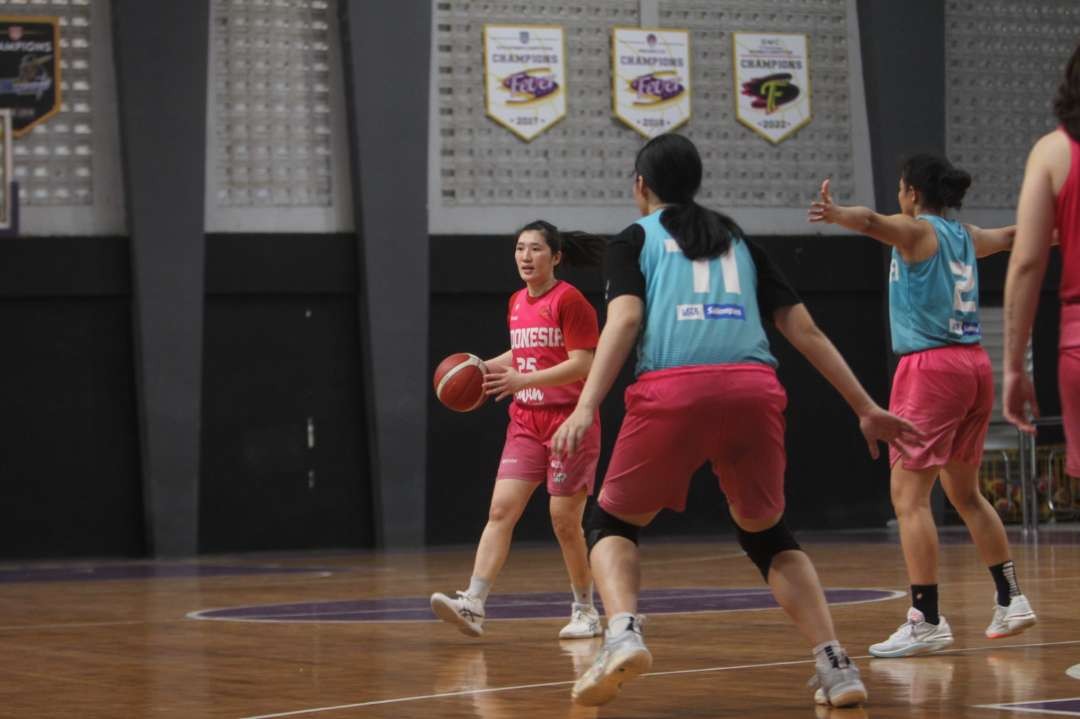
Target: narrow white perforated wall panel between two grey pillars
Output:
[(277, 155)]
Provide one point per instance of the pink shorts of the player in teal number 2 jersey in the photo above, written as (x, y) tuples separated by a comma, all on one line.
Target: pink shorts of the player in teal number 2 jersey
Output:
[(948, 394)]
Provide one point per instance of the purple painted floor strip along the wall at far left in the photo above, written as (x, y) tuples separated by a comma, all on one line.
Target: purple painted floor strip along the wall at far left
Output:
[(144, 571)]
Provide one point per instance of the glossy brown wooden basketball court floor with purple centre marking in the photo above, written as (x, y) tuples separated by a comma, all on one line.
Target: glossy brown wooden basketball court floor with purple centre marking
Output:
[(308, 636)]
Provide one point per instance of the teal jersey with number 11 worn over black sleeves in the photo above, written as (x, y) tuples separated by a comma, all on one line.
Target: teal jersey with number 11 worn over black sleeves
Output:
[(698, 313)]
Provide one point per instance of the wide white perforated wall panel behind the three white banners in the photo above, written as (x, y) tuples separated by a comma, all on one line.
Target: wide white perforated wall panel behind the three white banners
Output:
[(485, 180)]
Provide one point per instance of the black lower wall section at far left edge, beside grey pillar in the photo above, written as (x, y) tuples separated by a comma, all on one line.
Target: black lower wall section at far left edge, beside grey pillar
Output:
[(70, 472)]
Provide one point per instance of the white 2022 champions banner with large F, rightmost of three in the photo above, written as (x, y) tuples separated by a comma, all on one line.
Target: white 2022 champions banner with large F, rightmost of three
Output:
[(773, 83)]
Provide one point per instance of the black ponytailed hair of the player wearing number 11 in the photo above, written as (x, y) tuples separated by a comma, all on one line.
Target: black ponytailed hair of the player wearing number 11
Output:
[(671, 168)]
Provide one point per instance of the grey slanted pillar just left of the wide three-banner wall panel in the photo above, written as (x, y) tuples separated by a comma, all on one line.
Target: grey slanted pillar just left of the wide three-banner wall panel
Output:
[(388, 125)]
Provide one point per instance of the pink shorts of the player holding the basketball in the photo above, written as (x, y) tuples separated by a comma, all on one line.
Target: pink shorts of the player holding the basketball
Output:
[(526, 454)]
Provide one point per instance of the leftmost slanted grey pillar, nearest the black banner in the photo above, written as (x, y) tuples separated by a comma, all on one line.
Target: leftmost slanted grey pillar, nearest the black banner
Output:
[(161, 56)]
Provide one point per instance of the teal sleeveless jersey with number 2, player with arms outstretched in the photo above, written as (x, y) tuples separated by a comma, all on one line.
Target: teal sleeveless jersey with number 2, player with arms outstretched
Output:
[(936, 303)]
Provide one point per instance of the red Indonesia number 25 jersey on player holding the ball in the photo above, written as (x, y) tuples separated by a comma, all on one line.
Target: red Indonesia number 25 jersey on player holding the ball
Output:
[(543, 332)]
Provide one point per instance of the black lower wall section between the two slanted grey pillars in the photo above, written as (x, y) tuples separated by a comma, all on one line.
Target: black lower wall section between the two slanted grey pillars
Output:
[(285, 447)]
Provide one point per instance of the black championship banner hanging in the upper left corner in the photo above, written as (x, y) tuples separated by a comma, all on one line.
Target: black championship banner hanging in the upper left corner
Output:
[(30, 70)]
